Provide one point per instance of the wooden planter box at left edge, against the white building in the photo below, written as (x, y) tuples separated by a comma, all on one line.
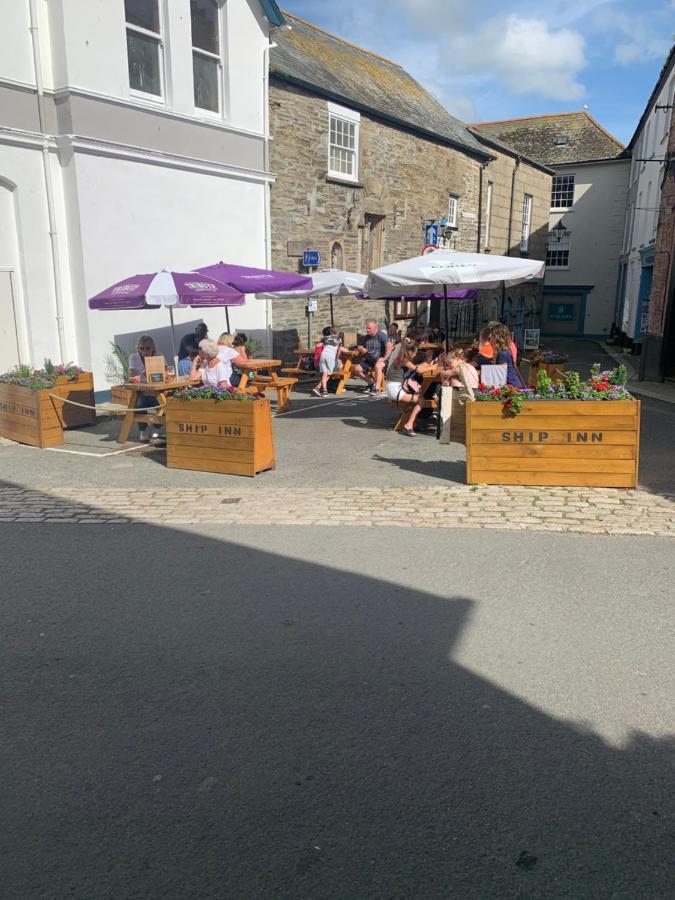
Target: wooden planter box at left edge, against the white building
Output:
[(35, 418)]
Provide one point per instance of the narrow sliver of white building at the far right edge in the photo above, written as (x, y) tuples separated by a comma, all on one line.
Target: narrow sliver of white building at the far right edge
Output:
[(648, 151)]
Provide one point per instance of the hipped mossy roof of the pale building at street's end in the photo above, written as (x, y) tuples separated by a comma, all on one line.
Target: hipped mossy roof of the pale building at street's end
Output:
[(556, 139)]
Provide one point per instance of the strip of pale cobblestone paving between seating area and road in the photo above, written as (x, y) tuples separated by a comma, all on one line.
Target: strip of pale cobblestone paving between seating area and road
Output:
[(589, 511)]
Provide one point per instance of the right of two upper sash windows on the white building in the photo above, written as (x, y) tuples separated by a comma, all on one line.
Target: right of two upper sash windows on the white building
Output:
[(206, 58)]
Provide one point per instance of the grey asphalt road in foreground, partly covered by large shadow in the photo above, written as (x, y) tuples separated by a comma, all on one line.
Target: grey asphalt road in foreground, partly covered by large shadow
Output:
[(335, 713)]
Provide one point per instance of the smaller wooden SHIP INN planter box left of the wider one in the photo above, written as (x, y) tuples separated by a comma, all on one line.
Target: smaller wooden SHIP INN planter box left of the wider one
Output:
[(230, 437)]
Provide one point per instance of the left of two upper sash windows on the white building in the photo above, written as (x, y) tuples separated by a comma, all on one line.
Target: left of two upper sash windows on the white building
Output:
[(144, 46)]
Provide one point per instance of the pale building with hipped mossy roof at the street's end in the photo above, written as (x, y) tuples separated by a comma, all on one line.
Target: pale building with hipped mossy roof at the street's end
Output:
[(586, 215)]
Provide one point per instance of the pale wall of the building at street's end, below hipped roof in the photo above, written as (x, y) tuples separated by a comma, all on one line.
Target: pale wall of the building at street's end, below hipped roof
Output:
[(596, 224)]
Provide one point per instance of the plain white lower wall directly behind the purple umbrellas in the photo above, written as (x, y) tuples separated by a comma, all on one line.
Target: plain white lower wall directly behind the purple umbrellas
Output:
[(138, 218)]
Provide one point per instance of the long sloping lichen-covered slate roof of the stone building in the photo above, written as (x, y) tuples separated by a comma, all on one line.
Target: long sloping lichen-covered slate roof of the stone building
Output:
[(322, 63)]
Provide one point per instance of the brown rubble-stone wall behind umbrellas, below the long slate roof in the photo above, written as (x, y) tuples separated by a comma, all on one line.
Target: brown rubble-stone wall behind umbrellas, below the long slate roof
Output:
[(403, 178)]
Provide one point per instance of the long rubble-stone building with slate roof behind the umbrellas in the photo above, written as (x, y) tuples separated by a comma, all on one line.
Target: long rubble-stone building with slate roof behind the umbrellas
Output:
[(365, 159)]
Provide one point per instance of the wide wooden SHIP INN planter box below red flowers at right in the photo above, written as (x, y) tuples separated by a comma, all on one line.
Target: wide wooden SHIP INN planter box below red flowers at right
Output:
[(554, 442)]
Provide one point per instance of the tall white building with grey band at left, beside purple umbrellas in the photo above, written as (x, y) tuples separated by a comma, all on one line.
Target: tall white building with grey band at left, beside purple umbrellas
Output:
[(133, 135)]
